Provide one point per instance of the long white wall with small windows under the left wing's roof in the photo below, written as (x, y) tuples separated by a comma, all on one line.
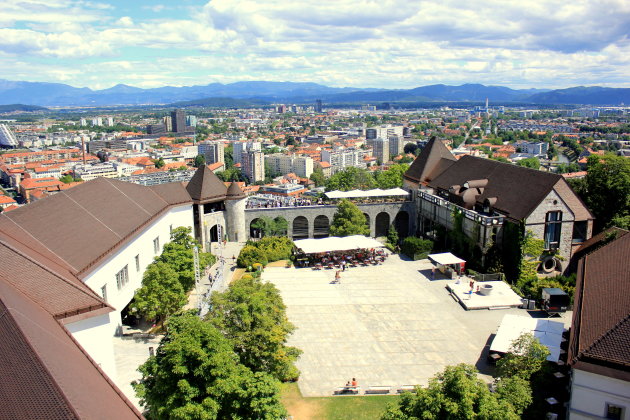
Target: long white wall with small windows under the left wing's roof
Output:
[(142, 245)]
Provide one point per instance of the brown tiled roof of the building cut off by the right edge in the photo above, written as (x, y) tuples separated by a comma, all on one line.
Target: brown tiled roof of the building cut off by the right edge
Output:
[(600, 336)]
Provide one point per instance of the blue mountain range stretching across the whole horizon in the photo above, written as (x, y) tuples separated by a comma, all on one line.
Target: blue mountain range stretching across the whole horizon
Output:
[(261, 92)]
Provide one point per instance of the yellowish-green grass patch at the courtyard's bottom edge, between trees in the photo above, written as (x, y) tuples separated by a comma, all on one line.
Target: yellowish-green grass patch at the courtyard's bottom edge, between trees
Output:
[(333, 408)]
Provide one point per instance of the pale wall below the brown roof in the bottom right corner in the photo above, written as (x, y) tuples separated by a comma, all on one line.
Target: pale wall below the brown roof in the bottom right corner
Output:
[(590, 393)]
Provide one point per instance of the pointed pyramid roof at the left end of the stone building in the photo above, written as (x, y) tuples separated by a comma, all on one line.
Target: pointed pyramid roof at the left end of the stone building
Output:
[(434, 159)]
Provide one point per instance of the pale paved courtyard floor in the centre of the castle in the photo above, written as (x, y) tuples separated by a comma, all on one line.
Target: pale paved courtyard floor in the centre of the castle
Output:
[(387, 325)]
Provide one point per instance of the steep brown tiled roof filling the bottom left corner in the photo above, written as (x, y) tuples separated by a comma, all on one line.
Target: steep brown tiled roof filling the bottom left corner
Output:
[(45, 374)]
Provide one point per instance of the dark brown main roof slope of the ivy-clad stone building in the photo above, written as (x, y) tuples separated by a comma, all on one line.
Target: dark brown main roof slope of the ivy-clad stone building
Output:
[(518, 190)]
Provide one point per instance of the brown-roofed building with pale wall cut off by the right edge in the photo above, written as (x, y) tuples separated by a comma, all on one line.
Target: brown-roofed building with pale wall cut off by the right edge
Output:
[(599, 346)]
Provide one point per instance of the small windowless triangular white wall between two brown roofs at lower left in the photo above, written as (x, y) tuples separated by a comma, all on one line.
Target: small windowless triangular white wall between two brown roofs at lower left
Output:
[(94, 334)]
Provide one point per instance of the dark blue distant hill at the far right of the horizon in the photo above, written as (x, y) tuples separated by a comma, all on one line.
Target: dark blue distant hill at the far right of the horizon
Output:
[(583, 95)]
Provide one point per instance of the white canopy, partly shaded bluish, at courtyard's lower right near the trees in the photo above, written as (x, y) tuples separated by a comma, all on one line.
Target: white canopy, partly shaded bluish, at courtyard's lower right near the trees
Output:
[(549, 333)]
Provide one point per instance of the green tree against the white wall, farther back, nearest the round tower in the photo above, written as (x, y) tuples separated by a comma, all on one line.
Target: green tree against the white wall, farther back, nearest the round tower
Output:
[(178, 254)]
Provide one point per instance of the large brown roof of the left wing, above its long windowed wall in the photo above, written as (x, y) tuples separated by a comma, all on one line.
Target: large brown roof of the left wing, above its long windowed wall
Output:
[(83, 225)]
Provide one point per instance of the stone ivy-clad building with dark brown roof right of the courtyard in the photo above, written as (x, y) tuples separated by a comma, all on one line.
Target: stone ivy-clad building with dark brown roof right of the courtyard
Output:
[(496, 200)]
